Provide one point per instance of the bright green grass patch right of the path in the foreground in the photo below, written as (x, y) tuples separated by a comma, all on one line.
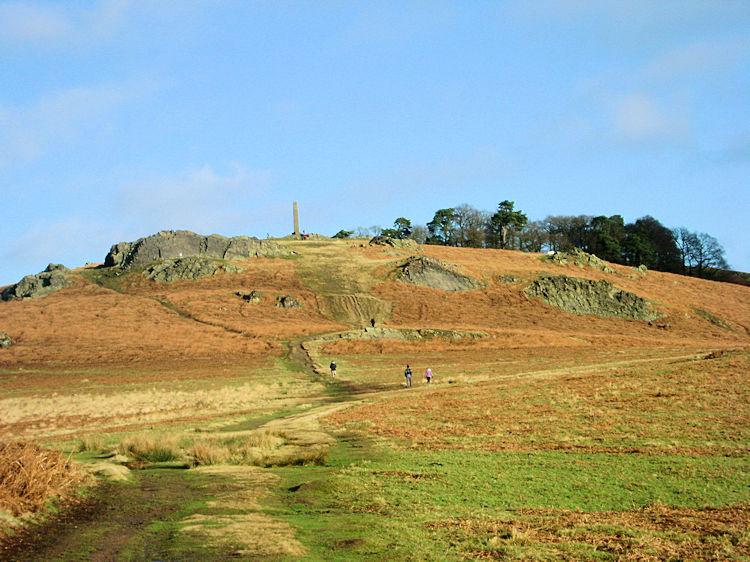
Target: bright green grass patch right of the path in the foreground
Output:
[(393, 504)]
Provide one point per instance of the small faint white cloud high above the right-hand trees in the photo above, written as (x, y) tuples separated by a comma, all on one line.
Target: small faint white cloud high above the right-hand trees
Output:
[(637, 118)]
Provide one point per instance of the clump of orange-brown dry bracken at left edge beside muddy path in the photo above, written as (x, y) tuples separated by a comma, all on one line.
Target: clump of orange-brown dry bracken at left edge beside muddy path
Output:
[(31, 476)]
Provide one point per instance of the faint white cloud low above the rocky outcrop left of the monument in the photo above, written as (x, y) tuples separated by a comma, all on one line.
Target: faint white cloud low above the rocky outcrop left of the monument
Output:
[(200, 199)]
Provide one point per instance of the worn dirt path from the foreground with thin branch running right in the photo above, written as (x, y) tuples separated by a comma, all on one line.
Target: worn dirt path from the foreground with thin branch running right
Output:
[(216, 511)]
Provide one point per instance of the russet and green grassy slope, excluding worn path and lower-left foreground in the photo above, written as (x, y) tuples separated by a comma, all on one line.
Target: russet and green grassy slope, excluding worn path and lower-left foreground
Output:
[(521, 435)]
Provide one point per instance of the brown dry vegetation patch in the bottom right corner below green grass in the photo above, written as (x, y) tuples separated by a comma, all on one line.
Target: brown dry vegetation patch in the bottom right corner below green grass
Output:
[(656, 532)]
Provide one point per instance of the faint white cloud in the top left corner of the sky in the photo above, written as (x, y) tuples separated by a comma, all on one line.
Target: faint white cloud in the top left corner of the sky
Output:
[(55, 24)]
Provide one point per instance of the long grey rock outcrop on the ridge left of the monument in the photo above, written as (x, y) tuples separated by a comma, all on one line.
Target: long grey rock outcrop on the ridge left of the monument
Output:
[(182, 243)]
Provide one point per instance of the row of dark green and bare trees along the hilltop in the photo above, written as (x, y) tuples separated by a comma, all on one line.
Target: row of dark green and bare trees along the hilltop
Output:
[(643, 242)]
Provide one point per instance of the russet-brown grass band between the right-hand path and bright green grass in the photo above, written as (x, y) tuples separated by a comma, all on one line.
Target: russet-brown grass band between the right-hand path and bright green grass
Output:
[(696, 407)]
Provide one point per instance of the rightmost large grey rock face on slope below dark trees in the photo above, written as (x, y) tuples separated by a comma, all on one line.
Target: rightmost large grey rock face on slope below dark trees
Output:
[(584, 296)]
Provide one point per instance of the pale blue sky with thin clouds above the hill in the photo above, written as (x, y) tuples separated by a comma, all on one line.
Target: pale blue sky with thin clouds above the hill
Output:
[(121, 118)]
